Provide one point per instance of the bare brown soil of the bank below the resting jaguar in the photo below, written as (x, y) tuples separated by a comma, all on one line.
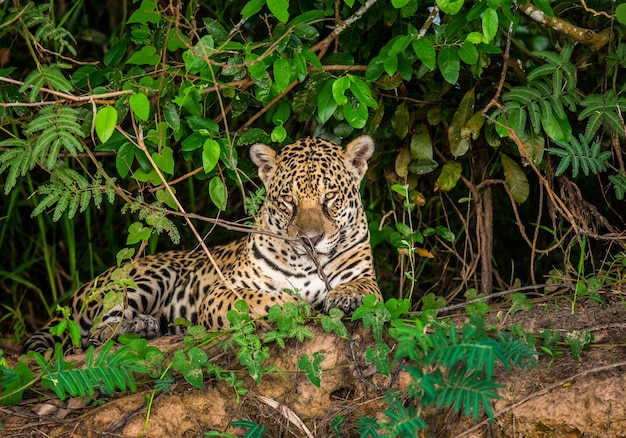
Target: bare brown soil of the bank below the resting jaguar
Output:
[(559, 398)]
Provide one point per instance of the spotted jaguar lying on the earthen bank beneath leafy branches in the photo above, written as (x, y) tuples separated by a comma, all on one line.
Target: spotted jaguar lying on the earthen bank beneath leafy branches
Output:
[(311, 238)]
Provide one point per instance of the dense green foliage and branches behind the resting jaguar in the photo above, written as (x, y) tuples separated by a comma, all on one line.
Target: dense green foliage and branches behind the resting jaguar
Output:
[(499, 128)]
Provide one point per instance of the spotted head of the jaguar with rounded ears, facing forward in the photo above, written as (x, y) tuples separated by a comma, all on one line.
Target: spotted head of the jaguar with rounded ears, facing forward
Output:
[(312, 191)]
